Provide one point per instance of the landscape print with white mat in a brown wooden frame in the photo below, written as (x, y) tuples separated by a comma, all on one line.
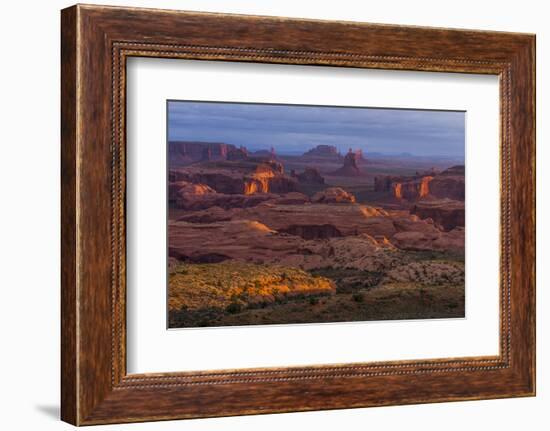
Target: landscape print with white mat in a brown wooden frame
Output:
[(263, 215)]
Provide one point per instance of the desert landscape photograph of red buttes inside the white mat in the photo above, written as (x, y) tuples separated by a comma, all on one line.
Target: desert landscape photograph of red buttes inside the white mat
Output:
[(290, 214)]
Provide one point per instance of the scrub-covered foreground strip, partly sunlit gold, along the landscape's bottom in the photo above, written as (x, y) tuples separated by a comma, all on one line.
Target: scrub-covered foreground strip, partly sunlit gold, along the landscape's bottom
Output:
[(424, 285)]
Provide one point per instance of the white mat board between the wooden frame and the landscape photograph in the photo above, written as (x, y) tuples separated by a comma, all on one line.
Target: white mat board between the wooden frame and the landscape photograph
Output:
[(151, 348)]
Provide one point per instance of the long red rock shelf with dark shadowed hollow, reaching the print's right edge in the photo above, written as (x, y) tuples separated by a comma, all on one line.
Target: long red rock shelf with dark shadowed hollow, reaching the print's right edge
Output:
[(321, 221)]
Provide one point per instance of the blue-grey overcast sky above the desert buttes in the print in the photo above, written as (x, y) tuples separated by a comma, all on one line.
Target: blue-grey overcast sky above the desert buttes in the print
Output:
[(295, 129)]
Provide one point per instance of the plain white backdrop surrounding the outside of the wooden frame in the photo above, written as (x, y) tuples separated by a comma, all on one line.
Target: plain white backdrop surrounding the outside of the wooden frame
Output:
[(29, 225)]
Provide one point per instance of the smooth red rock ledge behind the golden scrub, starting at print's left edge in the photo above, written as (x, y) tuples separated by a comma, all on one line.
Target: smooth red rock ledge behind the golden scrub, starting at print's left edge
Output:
[(253, 242)]
